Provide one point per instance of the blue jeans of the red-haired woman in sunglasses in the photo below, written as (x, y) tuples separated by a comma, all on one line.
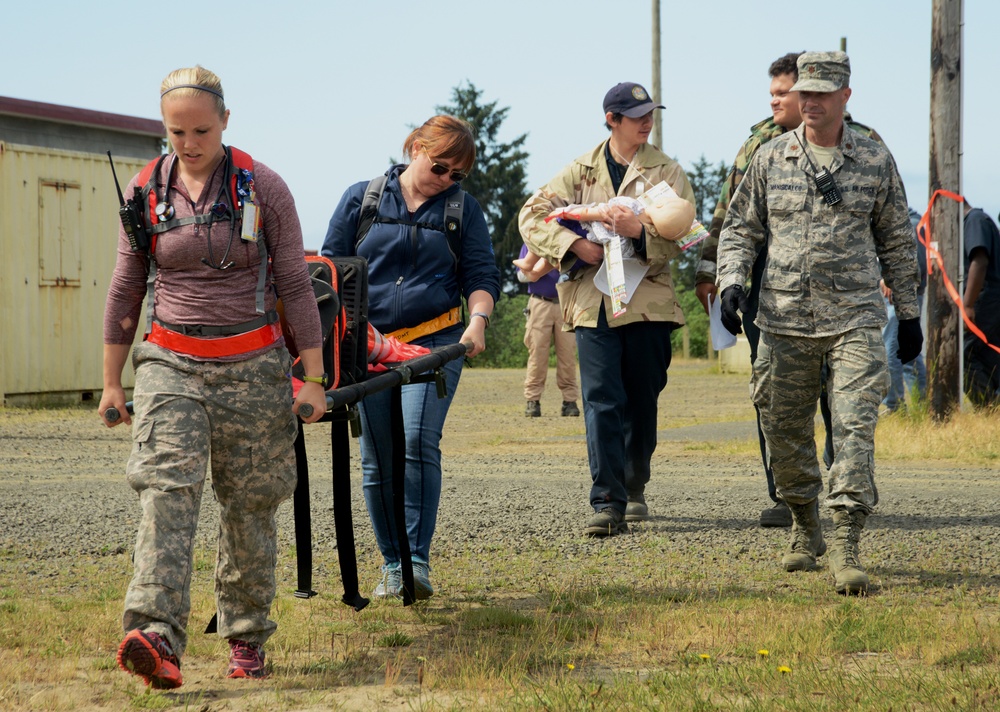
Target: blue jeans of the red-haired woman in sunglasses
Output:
[(423, 422)]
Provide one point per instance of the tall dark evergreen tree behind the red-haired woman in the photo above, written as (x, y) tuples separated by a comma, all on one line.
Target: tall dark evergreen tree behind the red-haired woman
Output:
[(499, 179)]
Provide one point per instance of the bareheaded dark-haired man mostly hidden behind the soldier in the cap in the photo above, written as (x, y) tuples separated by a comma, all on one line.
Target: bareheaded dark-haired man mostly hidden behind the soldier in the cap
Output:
[(785, 116)]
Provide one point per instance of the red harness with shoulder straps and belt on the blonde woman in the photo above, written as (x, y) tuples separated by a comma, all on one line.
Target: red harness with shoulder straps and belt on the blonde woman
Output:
[(198, 340)]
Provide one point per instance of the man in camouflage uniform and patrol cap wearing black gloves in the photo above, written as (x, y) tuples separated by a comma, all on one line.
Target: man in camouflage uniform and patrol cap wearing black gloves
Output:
[(828, 203)]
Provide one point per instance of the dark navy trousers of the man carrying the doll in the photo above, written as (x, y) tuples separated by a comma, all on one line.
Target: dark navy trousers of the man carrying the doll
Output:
[(622, 371)]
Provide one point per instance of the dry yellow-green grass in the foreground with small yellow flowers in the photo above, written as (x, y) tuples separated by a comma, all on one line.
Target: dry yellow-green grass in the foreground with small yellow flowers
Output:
[(582, 639)]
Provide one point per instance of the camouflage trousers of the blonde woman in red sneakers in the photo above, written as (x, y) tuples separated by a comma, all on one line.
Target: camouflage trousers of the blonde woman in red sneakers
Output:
[(235, 418)]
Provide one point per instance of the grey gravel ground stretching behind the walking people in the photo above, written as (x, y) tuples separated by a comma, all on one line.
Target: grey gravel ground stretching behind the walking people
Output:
[(63, 494)]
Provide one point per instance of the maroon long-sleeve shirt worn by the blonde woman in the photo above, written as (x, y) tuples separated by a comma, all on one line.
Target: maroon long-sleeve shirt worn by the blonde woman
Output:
[(187, 291)]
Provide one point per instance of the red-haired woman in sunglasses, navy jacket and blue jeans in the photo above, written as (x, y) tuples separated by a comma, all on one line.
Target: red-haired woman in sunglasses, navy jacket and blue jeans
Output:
[(417, 278)]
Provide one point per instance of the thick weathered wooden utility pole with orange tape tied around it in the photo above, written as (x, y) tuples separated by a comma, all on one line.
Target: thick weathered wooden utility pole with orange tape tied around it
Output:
[(943, 343)]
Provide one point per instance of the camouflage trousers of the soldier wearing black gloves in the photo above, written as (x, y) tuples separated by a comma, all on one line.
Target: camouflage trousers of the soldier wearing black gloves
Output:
[(785, 385)]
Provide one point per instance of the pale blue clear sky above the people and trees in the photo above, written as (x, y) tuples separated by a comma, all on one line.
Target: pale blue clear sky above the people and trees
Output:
[(326, 92)]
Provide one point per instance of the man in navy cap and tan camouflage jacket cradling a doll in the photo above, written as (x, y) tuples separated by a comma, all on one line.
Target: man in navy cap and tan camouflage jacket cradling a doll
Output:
[(623, 359)]
